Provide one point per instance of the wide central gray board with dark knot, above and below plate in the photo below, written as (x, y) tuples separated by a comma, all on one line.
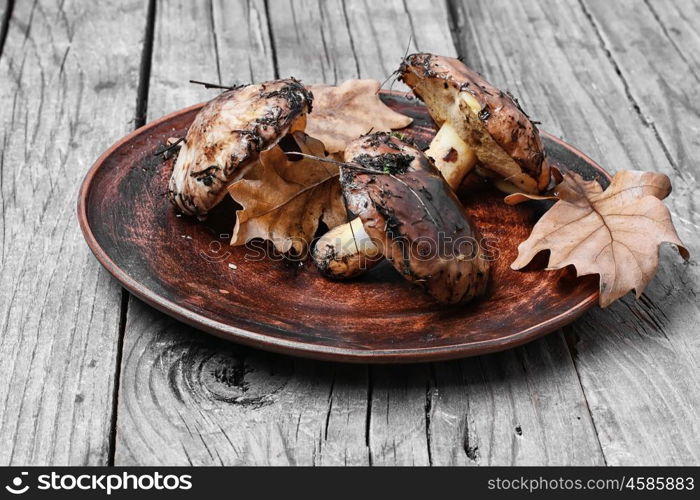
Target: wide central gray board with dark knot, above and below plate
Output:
[(187, 398)]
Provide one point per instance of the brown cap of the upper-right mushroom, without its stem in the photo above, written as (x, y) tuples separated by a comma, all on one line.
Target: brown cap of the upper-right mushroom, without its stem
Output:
[(439, 81)]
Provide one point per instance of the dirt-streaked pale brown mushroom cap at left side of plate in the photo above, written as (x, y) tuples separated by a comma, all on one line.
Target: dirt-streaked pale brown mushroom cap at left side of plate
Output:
[(227, 136)]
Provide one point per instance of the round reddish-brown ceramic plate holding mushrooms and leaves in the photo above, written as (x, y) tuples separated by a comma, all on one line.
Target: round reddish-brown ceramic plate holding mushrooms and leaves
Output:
[(181, 266)]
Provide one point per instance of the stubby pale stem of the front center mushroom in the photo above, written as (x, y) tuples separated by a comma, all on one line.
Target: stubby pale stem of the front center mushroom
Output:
[(346, 251)]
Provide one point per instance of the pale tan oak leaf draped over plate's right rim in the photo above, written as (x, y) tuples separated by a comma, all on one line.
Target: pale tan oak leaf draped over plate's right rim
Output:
[(613, 233)]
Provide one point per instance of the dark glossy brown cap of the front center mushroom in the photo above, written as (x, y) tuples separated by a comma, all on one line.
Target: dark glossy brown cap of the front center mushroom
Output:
[(414, 217)]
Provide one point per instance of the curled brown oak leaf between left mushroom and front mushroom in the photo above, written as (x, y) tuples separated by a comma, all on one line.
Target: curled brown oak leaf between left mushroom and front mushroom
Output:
[(283, 200)]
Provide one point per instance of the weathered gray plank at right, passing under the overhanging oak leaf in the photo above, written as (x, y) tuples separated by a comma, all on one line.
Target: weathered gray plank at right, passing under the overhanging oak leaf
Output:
[(637, 361)]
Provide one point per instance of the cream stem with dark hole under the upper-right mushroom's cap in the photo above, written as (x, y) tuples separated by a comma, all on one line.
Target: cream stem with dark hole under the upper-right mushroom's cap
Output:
[(451, 155)]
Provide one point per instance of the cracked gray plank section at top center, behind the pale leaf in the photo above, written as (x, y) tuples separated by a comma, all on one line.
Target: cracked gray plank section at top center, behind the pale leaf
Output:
[(333, 41)]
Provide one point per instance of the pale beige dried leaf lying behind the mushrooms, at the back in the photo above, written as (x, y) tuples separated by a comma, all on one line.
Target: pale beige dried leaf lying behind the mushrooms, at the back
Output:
[(343, 113)]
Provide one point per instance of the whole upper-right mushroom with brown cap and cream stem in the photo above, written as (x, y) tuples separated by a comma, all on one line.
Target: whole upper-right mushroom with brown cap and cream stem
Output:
[(477, 122)]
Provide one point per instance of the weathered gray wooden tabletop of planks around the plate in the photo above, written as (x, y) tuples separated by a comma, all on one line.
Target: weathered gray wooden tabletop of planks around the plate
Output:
[(91, 375)]
